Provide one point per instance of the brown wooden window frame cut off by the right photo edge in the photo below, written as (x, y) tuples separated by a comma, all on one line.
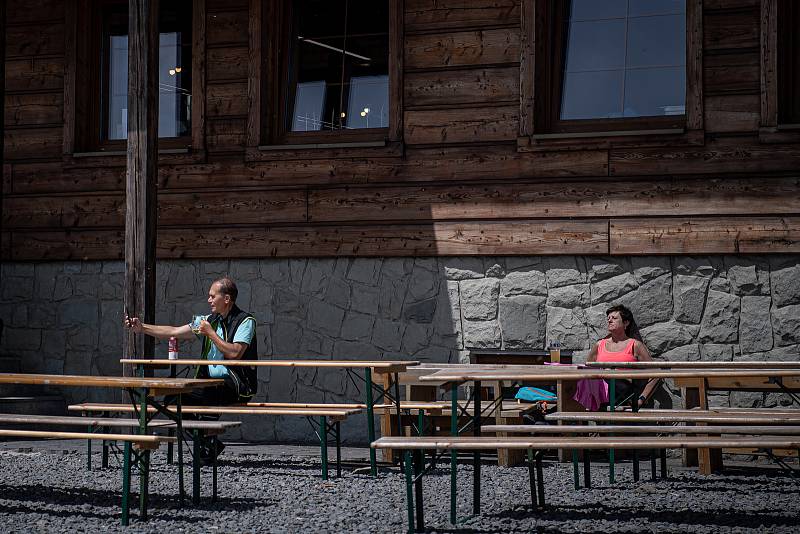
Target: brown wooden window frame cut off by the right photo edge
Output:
[(773, 127)]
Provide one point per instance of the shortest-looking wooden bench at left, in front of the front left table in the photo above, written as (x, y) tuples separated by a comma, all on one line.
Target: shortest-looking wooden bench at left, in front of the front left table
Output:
[(133, 442)]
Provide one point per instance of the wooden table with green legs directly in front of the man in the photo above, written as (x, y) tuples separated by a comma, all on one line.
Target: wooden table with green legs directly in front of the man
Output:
[(389, 369)]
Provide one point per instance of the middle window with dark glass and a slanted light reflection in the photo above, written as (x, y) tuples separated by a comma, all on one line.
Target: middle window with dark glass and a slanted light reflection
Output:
[(329, 73)]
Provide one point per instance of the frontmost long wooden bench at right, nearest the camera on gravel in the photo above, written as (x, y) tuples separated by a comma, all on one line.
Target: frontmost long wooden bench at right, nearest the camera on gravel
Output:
[(414, 493)]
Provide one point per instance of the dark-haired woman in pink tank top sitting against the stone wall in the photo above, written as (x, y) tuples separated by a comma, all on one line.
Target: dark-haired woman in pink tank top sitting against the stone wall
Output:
[(624, 344)]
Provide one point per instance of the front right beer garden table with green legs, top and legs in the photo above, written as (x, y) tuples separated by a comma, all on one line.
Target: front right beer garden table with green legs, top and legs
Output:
[(564, 375)]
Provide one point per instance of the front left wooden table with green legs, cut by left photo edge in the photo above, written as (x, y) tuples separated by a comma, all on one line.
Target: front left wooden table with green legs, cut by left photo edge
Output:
[(142, 391)]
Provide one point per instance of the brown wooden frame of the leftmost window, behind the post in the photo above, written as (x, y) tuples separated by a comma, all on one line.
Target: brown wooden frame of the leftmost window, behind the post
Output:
[(83, 92)]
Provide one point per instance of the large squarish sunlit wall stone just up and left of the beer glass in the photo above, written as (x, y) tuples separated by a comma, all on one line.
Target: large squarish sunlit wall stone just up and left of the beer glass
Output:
[(522, 321)]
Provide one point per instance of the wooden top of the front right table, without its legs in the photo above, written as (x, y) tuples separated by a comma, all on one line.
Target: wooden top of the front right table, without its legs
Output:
[(553, 373)]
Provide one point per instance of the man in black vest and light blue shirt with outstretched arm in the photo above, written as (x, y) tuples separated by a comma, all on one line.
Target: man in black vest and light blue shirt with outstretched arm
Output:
[(228, 333)]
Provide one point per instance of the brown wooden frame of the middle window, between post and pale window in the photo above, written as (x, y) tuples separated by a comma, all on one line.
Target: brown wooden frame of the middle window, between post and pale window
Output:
[(269, 87)]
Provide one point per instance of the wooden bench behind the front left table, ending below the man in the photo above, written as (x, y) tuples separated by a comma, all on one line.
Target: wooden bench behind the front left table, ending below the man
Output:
[(199, 429)]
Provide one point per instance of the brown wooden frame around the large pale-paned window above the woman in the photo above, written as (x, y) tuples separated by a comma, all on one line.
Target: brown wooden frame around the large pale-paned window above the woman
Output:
[(541, 60)]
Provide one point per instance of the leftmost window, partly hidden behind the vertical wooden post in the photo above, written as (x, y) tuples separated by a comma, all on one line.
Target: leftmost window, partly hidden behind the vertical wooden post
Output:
[(96, 77)]
